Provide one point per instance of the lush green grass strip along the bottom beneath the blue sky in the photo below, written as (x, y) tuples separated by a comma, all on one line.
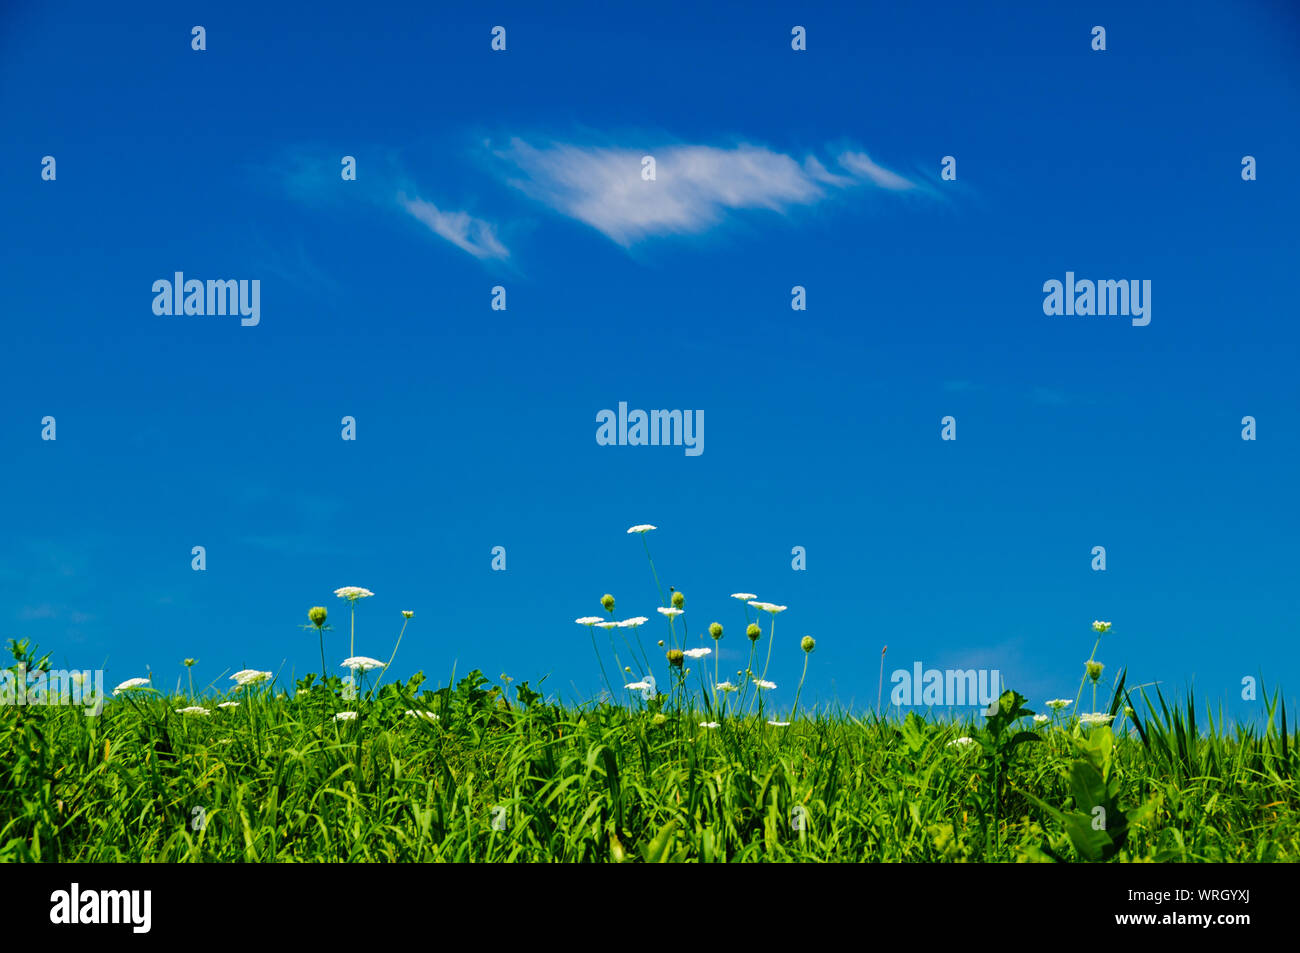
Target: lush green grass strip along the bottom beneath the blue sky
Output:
[(280, 779)]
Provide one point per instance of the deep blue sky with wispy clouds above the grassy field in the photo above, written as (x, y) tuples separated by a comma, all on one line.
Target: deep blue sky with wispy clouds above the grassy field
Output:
[(476, 428)]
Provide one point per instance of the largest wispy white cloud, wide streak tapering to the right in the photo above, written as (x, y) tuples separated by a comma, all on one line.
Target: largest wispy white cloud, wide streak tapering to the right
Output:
[(695, 187)]
